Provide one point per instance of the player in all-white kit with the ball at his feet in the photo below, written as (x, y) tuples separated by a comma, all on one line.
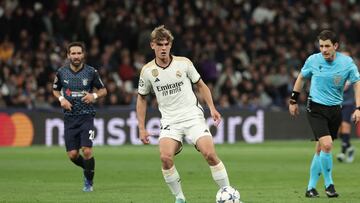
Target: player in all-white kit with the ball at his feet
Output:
[(171, 78)]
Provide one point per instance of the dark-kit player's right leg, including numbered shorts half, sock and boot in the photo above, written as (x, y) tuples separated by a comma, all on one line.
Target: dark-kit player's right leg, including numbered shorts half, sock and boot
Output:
[(87, 135)]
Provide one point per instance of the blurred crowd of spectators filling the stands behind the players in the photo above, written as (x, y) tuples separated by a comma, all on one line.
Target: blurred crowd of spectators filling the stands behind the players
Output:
[(247, 51)]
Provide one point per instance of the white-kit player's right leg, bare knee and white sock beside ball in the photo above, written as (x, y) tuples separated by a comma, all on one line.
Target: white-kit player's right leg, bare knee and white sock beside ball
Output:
[(218, 171)]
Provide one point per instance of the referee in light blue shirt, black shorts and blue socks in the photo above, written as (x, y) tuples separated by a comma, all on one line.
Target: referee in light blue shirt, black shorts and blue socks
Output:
[(328, 72)]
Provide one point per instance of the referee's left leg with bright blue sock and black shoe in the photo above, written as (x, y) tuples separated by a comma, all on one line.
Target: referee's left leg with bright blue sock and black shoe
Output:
[(315, 172)]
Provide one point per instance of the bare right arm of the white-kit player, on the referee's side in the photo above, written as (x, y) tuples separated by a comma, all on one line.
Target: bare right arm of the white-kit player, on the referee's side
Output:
[(206, 94)]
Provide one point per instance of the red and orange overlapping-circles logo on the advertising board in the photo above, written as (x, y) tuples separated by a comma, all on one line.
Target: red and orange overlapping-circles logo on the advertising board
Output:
[(16, 130)]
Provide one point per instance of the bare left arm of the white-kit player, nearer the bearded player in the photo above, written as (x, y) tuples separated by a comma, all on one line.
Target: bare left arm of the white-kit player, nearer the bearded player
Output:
[(141, 106)]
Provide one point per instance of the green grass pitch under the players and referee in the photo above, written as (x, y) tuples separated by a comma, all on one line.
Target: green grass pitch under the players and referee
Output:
[(269, 172)]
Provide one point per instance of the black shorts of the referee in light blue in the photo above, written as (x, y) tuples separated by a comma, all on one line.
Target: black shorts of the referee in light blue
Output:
[(324, 120)]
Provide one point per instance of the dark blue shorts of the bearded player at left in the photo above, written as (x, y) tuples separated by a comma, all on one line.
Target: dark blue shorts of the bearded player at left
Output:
[(79, 131)]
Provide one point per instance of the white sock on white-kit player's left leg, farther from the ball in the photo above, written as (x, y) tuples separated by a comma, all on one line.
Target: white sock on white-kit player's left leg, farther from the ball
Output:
[(172, 179)]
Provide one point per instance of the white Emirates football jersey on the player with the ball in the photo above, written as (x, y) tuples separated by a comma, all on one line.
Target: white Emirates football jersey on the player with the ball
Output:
[(173, 89)]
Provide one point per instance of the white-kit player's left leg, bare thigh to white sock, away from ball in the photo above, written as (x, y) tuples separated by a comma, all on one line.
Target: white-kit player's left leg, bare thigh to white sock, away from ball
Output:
[(168, 147)]
